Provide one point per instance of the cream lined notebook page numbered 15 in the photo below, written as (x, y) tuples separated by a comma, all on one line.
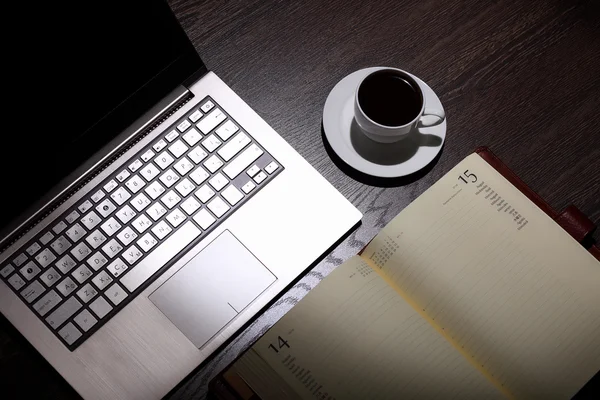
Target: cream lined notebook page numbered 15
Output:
[(502, 280)]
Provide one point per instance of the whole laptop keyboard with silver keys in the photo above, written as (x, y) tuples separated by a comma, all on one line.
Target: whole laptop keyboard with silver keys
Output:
[(98, 255)]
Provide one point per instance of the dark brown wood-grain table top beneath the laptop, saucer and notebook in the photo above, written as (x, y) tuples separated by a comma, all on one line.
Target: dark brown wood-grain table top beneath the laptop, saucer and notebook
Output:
[(521, 76)]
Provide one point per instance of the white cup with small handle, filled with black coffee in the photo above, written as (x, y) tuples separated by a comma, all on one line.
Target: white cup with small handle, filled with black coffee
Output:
[(393, 106)]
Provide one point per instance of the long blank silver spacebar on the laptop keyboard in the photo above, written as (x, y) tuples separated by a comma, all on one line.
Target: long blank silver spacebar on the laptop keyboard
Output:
[(160, 256)]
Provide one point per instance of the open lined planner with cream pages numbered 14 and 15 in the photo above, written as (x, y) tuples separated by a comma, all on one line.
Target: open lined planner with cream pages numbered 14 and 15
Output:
[(470, 292)]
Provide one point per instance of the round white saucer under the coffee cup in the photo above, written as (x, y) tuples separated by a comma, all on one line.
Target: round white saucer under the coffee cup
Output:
[(389, 160)]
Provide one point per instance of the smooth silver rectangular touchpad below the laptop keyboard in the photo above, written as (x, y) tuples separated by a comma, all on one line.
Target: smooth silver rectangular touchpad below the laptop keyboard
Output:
[(211, 289)]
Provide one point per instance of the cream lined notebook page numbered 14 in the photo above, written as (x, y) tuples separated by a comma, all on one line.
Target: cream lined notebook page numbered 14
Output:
[(353, 337)]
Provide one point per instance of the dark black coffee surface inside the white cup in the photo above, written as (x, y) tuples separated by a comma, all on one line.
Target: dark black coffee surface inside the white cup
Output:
[(389, 98)]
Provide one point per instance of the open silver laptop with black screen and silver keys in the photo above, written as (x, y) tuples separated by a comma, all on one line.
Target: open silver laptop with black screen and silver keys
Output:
[(165, 212)]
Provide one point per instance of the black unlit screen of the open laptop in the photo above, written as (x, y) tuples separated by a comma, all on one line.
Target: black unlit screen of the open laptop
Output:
[(92, 69)]
